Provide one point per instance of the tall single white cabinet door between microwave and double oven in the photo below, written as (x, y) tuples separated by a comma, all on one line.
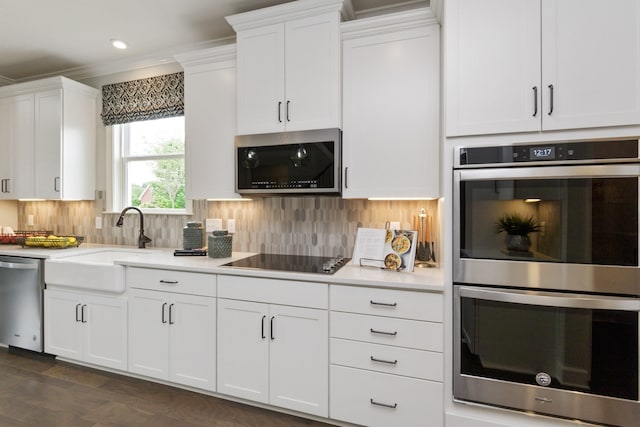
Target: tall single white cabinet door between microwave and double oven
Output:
[(391, 124)]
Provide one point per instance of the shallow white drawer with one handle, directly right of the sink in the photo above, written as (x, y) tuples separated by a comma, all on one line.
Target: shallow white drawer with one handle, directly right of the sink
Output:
[(172, 281)]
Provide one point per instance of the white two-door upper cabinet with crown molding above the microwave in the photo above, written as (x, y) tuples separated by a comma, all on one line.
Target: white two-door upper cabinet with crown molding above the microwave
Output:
[(289, 67)]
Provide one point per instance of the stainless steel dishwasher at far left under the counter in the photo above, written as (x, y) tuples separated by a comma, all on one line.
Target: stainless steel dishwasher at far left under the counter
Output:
[(21, 302)]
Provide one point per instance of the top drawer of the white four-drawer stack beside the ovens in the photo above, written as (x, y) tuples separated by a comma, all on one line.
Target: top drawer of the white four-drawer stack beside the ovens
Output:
[(387, 302)]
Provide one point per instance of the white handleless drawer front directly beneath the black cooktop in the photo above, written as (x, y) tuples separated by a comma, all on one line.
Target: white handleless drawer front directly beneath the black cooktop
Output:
[(274, 291)]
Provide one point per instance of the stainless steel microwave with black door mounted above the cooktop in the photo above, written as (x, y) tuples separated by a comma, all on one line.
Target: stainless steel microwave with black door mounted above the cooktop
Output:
[(289, 163)]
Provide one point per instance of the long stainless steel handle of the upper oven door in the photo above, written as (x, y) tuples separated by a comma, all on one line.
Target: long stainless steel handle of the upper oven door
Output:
[(549, 172)]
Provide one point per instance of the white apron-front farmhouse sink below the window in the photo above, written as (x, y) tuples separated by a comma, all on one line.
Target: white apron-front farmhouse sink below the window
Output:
[(95, 270)]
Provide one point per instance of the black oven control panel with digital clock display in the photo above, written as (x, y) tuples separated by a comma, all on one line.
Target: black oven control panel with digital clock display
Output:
[(567, 152)]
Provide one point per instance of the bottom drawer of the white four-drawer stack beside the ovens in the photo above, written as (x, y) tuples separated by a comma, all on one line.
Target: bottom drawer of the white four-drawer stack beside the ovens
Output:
[(375, 399)]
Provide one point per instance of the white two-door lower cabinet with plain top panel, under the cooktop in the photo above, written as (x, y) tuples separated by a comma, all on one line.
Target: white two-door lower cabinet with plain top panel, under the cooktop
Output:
[(273, 353)]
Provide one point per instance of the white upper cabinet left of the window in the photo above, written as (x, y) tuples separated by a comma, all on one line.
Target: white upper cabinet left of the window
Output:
[(52, 138)]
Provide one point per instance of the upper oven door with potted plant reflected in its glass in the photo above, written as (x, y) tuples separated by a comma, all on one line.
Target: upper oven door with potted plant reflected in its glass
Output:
[(586, 218)]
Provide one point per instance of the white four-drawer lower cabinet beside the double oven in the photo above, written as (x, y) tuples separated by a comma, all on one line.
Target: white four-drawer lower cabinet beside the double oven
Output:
[(386, 357)]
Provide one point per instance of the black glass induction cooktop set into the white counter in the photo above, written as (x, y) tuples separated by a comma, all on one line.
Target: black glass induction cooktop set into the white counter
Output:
[(291, 263)]
